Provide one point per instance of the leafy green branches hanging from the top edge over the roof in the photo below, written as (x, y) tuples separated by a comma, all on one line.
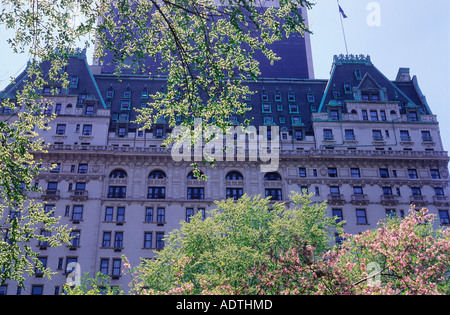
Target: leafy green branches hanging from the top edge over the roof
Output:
[(205, 48)]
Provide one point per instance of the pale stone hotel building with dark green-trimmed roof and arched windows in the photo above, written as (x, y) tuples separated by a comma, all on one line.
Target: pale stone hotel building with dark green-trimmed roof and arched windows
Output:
[(367, 145)]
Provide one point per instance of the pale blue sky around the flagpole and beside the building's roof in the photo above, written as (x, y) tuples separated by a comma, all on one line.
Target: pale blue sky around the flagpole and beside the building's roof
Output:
[(413, 34)]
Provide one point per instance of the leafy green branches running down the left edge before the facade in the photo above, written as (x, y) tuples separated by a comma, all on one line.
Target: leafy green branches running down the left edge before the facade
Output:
[(22, 219)]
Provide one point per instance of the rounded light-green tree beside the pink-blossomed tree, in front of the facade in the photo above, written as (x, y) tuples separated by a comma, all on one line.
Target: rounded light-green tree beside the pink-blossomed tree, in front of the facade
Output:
[(217, 254)]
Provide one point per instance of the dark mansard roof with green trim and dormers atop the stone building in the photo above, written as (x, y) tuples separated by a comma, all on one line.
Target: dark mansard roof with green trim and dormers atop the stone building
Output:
[(287, 103)]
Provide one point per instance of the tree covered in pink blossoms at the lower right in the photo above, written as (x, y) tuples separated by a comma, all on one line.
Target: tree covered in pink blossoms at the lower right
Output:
[(402, 256)]
